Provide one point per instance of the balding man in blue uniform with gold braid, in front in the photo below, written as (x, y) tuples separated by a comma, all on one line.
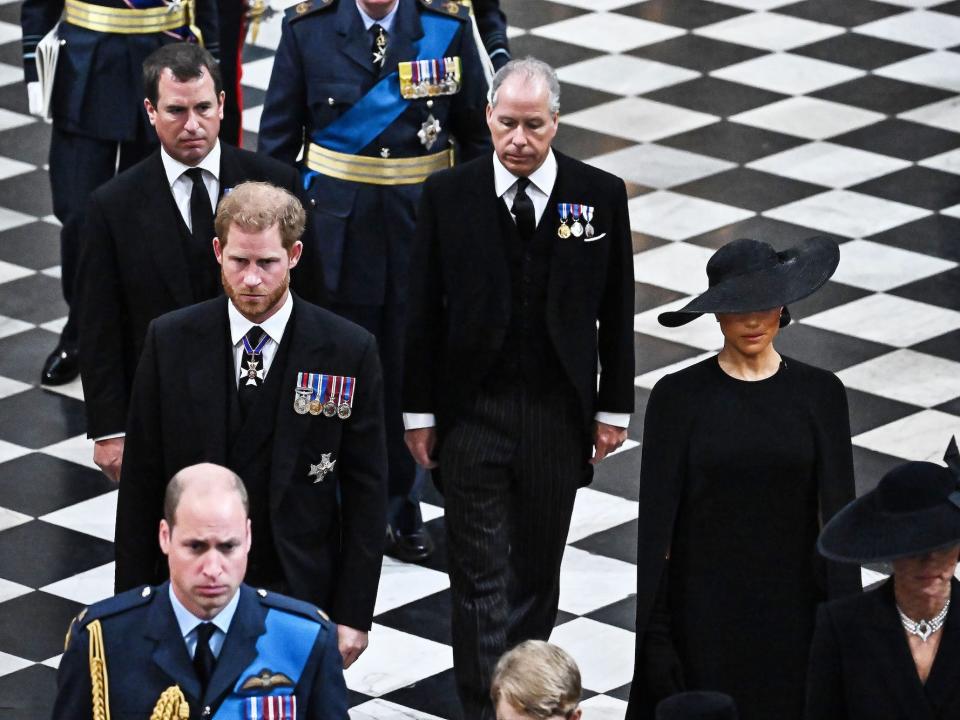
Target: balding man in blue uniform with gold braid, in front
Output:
[(203, 644)]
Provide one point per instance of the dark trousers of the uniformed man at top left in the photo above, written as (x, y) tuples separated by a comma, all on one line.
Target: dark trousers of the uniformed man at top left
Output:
[(78, 166)]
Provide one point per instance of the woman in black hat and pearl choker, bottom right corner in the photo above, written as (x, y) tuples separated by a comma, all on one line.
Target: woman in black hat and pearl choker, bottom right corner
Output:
[(894, 653)]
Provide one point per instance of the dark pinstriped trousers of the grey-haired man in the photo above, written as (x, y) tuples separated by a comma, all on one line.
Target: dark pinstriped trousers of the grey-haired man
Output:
[(511, 468)]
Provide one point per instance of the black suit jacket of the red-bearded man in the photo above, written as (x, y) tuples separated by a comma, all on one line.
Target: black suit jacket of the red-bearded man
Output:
[(328, 535)]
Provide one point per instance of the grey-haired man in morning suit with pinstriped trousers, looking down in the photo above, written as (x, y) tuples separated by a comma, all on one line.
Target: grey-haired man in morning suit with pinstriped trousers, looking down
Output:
[(521, 276)]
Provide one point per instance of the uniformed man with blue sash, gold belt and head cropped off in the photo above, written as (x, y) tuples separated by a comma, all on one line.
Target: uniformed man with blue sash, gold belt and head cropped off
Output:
[(378, 94)]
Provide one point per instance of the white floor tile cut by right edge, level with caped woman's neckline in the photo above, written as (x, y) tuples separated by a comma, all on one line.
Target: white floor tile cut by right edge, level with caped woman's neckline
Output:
[(907, 376)]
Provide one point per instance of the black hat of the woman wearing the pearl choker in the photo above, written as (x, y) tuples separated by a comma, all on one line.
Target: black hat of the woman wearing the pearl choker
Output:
[(915, 509)]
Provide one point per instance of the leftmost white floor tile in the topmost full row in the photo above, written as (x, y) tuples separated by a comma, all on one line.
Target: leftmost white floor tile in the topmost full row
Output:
[(612, 32)]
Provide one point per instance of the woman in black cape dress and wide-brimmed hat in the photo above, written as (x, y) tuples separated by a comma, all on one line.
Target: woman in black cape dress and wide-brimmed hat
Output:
[(743, 454)]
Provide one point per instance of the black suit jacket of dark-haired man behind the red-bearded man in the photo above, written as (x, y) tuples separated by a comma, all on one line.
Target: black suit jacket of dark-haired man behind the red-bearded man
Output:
[(133, 269)]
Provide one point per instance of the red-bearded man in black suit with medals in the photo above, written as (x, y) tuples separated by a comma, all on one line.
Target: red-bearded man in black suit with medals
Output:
[(285, 394)]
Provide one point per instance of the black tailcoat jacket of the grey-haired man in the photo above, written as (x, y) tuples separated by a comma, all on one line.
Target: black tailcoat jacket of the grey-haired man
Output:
[(459, 303)]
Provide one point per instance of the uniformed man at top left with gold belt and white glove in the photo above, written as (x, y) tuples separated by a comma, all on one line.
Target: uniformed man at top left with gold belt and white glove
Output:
[(99, 125)]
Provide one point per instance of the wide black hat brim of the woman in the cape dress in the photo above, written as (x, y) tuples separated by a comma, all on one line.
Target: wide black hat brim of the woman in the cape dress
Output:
[(805, 268)]
